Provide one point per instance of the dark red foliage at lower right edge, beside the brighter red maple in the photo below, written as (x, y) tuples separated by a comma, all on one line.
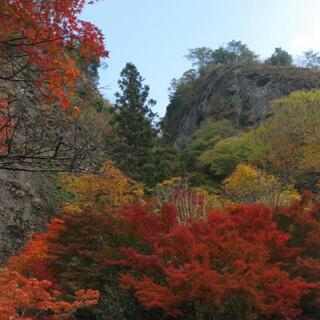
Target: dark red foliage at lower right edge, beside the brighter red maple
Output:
[(302, 222)]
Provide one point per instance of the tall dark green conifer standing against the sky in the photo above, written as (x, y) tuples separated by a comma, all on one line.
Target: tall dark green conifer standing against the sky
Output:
[(135, 135)]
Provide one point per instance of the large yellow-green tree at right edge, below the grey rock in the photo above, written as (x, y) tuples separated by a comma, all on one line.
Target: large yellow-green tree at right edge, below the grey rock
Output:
[(292, 133)]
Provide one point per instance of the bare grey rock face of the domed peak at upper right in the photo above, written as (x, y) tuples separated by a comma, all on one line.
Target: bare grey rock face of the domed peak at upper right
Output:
[(240, 93)]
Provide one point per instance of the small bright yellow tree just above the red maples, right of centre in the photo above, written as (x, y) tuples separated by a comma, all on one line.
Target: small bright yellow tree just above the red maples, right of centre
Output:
[(250, 185)]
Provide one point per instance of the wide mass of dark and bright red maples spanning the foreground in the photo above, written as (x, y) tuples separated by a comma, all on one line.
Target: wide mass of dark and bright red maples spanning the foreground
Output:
[(249, 262)]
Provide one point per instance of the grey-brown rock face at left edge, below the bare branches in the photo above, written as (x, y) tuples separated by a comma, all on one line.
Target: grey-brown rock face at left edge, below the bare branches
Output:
[(24, 208)]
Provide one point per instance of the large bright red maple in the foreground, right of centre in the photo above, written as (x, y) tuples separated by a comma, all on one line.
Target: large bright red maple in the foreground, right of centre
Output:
[(239, 256)]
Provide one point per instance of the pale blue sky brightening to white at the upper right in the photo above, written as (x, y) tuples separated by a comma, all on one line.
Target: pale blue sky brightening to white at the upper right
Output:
[(155, 35)]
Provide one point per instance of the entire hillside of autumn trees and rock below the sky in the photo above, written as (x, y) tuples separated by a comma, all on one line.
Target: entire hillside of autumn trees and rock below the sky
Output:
[(212, 213)]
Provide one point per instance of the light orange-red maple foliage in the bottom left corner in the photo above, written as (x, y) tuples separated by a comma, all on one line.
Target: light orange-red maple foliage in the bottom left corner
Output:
[(29, 298)]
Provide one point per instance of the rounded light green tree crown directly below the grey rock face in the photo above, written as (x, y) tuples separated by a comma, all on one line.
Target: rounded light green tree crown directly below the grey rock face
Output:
[(228, 153)]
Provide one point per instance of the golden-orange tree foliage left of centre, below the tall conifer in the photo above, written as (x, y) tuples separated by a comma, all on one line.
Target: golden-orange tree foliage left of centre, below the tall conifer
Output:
[(109, 188)]
